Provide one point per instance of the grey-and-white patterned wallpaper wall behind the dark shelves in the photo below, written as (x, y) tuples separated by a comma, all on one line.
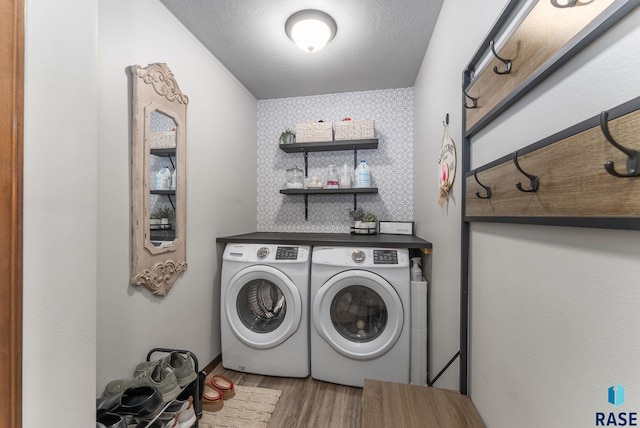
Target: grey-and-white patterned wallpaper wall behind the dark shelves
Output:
[(391, 163)]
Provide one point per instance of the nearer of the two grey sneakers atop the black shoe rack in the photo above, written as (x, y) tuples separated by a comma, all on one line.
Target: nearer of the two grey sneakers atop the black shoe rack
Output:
[(159, 376)]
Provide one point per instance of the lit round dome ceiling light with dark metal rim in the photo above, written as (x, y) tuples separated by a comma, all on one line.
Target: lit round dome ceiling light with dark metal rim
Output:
[(310, 29)]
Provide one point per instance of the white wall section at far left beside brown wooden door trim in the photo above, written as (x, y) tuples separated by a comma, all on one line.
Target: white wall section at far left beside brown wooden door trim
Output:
[(60, 214)]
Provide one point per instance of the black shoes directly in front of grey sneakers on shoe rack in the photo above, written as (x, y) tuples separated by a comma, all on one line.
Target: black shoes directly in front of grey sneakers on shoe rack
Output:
[(141, 401)]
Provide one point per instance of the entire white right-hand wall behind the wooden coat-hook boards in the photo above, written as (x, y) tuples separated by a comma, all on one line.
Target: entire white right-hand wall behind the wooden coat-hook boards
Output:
[(554, 309)]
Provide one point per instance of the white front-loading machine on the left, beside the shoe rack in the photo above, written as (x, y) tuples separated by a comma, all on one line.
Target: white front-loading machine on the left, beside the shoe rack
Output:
[(264, 309)]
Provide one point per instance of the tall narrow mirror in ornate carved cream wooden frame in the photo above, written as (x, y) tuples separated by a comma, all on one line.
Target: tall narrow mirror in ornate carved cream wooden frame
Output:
[(158, 188)]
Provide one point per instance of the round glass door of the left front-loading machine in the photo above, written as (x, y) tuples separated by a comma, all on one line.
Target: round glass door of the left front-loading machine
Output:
[(263, 306)]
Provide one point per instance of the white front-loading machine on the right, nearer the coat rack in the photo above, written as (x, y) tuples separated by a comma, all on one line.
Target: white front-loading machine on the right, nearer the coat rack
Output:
[(360, 300)]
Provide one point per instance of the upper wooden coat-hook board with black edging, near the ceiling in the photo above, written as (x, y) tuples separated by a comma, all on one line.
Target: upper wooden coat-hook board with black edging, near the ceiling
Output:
[(530, 40)]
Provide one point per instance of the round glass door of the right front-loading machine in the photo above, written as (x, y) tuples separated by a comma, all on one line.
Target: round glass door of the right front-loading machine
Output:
[(359, 314)]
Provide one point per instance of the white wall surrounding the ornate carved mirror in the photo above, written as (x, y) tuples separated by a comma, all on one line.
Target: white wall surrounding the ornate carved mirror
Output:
[(221, 187)]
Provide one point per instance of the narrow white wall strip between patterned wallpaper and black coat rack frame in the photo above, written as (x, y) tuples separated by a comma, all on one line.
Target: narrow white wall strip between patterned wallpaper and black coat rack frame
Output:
[(460, 28)]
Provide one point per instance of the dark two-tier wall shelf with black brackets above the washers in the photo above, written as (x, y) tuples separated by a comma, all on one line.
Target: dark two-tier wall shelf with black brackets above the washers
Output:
[(329, 146)]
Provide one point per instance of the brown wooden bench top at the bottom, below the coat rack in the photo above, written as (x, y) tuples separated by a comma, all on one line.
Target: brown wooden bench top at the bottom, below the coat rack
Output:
[(388, 404)]
